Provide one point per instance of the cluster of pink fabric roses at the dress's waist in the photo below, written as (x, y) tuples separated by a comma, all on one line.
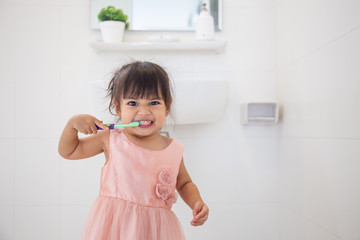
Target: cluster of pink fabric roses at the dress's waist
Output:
[(164, 189)]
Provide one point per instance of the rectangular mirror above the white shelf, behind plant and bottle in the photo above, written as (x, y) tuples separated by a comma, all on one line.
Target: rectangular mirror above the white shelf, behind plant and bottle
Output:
[(159, 15)]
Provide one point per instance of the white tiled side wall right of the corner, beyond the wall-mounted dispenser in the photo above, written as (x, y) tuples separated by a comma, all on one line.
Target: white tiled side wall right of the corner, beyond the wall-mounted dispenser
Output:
[(318, 86)]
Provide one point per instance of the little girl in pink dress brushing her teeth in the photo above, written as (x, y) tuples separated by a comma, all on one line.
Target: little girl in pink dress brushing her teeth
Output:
[(142, 169)]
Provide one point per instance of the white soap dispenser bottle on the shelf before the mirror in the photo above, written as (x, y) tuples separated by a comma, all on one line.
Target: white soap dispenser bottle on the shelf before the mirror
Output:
[(205, 25)]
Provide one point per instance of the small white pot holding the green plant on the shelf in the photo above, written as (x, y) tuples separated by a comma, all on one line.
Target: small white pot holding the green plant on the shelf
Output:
[(112, 31)]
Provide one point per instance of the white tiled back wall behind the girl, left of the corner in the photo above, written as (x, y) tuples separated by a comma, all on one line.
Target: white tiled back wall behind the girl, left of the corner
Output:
[(49, 73)]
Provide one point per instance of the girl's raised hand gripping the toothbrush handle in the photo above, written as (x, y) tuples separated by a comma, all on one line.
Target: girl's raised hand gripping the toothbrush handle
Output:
[(86, 124)]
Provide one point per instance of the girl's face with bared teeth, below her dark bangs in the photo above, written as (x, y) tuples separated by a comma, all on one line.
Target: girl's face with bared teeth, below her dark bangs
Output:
[(151, 112)]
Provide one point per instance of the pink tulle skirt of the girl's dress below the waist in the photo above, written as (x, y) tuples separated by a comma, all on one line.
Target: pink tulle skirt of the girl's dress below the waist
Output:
[(113, 218)]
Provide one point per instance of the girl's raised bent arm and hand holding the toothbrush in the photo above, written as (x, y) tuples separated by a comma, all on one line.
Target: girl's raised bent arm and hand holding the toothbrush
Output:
[(71, 147)]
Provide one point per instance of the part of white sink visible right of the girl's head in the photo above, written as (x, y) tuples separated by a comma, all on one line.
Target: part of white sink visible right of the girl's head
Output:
[(199, 101)]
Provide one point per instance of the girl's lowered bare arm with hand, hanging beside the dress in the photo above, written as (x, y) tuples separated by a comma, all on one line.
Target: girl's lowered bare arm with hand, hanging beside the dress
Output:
[(191, 195)]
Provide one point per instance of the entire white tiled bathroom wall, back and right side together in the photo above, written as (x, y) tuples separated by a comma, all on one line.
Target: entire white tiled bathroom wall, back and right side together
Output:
[(298, 181)]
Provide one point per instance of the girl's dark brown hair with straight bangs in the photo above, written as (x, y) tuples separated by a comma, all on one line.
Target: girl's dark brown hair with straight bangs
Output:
[(139, 80)]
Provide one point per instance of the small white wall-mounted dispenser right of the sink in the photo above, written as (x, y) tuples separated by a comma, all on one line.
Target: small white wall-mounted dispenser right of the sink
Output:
[(259, 113)]
